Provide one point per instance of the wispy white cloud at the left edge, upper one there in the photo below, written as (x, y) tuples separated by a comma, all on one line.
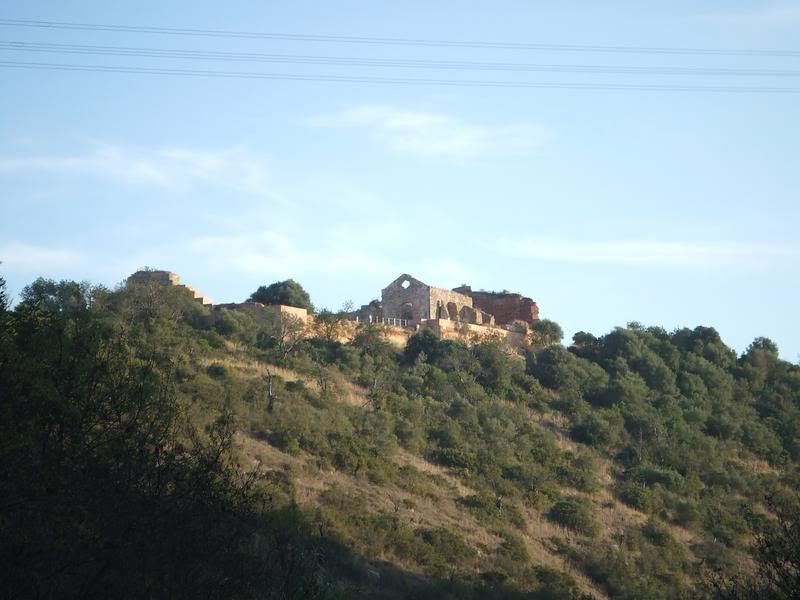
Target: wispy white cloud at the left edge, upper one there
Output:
[(165, 167)]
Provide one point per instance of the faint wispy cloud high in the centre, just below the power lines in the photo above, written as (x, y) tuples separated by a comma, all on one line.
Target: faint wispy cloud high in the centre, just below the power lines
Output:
[(437, 135)]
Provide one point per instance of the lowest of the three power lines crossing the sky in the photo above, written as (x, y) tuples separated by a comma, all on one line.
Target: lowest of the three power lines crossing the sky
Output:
[(393, 80)]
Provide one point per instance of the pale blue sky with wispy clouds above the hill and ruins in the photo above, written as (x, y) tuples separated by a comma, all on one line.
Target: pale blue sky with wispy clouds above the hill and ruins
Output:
[(665, 207)]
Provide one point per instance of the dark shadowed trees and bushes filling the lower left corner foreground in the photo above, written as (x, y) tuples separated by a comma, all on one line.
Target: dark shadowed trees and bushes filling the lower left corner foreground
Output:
[(128, 500)]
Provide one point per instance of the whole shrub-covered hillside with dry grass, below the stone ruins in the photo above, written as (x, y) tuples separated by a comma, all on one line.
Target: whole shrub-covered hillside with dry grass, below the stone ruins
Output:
[(152, 450)]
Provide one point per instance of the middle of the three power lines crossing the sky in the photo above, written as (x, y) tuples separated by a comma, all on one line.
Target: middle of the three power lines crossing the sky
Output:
[(144, 52)]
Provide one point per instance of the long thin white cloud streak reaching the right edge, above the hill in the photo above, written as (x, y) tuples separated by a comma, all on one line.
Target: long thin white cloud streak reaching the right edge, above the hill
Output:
[(651, 253)]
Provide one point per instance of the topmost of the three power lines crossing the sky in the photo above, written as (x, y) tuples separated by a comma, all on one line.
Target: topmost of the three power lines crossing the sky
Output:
[(392, 41)]
